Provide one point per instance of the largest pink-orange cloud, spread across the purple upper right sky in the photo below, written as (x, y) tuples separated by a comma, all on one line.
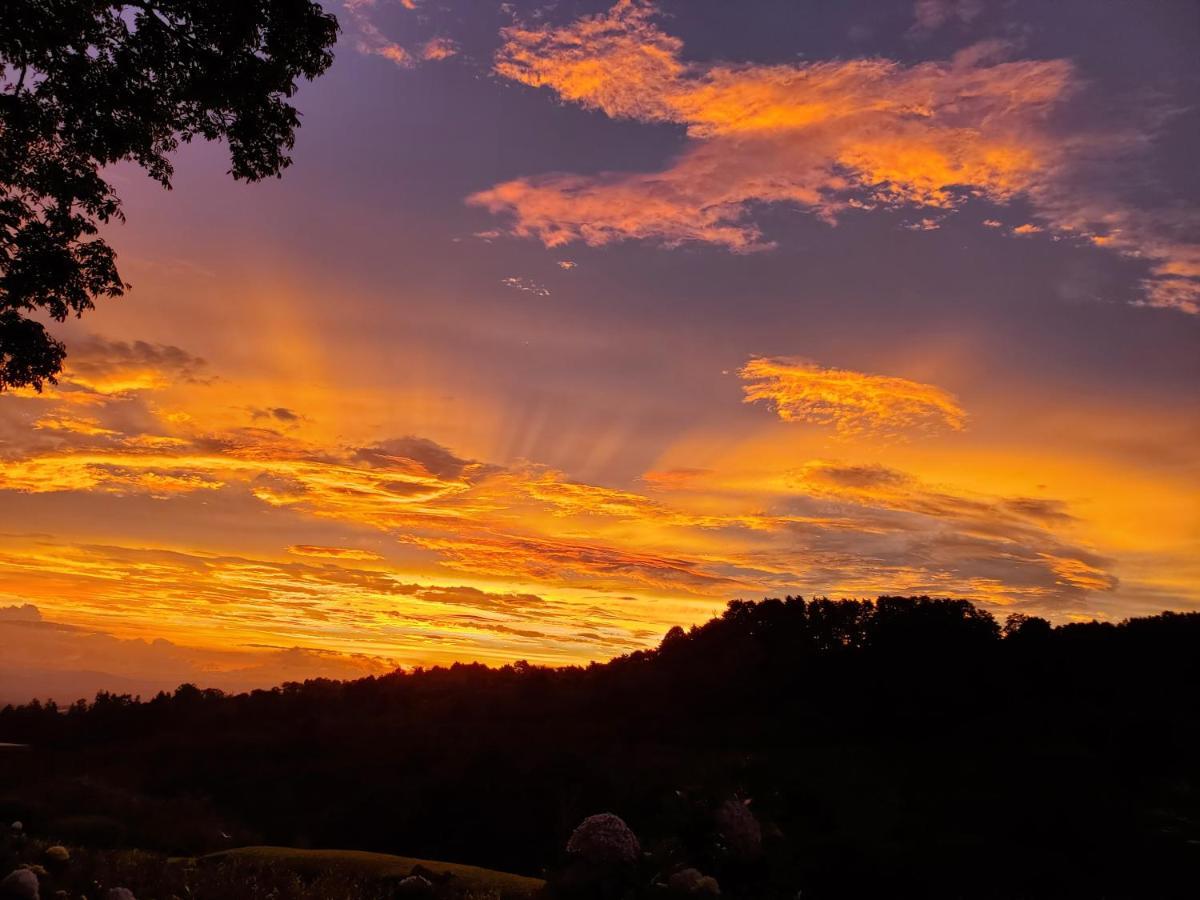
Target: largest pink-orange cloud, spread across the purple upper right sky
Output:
[(860, 134)]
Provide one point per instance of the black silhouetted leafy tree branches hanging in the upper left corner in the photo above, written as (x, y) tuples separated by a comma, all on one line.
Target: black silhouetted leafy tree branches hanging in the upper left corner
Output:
[(91, 83)]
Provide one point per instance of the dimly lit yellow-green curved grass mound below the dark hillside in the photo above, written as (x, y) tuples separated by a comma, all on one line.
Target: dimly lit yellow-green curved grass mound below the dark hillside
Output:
[(383, 866)]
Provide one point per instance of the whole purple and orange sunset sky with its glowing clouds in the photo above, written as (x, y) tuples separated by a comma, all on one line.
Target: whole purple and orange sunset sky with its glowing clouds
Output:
[(573, 322)]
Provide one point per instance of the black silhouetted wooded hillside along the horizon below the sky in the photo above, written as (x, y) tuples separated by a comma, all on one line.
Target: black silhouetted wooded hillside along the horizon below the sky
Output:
[(908, 746)]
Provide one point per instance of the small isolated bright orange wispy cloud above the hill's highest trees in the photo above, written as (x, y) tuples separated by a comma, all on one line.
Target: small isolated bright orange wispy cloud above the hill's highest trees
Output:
[(851, 403)]
